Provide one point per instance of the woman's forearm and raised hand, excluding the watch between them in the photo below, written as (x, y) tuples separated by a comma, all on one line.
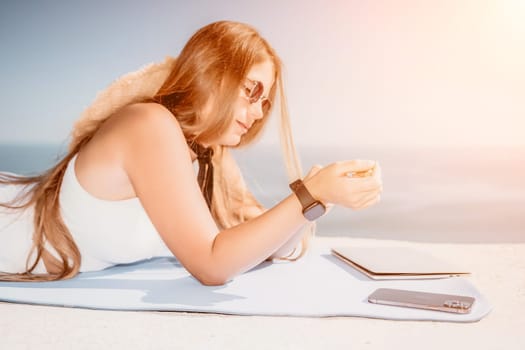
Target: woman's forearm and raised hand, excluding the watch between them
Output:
[(238, 249)]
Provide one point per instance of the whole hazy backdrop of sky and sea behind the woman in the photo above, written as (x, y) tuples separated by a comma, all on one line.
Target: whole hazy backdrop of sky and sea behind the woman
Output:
[(432, 90)]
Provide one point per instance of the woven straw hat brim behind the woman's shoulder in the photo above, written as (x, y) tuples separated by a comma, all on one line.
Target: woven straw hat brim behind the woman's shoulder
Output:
[(129, 88)]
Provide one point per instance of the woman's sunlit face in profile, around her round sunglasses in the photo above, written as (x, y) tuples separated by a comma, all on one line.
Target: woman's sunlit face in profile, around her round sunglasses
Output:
[(244, 112)]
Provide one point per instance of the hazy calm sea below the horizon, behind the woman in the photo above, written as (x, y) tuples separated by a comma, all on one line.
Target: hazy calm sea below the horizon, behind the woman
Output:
[(431, 194)]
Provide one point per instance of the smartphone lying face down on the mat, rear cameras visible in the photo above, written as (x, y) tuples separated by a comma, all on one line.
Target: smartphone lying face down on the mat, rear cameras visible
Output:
[(422, 300)]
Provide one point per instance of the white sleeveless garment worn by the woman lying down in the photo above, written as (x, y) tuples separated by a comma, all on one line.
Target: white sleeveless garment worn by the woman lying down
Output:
[(106, 232)]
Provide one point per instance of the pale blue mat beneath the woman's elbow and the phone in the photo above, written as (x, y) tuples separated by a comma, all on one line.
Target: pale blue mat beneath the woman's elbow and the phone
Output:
[(317, 285)]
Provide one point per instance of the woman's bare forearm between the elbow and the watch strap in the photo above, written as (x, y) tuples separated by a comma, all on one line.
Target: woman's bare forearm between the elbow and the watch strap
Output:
[(242, 247)]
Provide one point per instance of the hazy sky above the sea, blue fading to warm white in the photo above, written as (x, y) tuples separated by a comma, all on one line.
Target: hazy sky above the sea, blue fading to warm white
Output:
[(357, 73)]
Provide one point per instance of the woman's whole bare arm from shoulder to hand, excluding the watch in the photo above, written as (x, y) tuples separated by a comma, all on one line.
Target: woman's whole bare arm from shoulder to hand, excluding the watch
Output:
[(159, 167)]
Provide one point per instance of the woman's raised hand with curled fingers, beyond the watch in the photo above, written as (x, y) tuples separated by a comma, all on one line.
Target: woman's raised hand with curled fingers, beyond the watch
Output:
[(332, 184)]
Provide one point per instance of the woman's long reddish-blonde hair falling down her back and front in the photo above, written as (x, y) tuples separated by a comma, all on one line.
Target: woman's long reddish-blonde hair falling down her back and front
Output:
[(216, 58)]
